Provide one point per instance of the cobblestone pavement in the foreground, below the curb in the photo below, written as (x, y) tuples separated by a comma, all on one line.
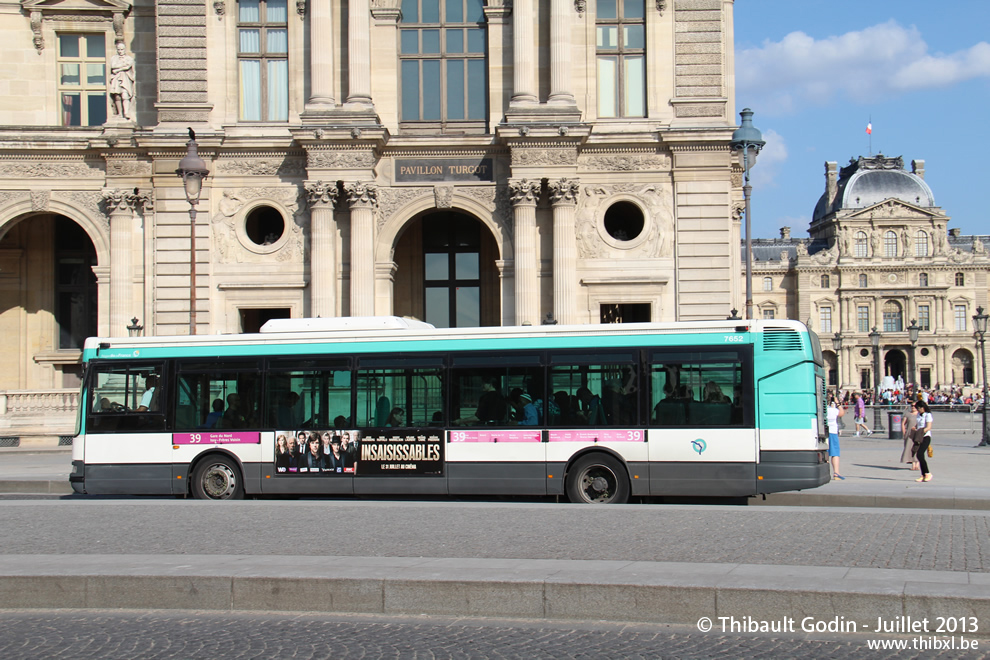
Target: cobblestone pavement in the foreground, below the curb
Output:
[(33, 634)]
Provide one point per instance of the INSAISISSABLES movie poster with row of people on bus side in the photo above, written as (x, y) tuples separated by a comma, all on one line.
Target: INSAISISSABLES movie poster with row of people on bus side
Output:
[(349, 452)]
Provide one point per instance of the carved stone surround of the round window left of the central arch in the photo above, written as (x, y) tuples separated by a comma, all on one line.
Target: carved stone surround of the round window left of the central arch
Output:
[(225, 225)]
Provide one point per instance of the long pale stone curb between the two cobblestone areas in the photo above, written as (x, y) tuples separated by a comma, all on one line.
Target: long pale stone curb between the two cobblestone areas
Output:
[(615, 591)]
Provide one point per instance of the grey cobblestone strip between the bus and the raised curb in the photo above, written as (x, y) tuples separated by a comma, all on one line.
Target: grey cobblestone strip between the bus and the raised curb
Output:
[(861, 538)]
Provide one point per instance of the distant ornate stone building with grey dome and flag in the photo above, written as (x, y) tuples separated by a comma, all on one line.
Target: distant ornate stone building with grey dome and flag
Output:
[(880, 255)]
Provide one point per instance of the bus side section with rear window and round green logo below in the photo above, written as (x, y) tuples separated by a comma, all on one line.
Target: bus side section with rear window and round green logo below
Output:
[(702, 434)]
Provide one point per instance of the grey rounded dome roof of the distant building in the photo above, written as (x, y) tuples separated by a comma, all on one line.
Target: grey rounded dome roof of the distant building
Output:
[(869, 181)]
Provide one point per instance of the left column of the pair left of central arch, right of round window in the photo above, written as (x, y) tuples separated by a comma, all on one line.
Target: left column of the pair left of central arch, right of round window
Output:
[(323, 261)]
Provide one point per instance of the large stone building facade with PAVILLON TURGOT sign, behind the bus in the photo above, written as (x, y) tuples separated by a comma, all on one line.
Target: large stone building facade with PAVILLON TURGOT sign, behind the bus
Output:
[(465, 162)]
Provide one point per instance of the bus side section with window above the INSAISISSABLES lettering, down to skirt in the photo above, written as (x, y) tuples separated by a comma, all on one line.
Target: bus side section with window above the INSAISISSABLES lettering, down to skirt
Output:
[(398, 430)]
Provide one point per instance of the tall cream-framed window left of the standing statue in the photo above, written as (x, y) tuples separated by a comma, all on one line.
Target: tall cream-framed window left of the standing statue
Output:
[(82, 79)]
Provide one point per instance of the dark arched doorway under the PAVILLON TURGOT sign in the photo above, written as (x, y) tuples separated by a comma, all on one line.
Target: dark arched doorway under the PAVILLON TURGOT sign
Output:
[(446, 273)]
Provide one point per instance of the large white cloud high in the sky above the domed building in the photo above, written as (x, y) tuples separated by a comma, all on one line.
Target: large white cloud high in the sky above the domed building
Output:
[(862, 66)]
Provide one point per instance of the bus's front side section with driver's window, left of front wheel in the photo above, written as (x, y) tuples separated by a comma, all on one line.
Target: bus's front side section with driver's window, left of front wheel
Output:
[(128, 447)]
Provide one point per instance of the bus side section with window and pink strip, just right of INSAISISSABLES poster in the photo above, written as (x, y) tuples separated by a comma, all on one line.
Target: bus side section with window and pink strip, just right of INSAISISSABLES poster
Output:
[(496, 443)]
